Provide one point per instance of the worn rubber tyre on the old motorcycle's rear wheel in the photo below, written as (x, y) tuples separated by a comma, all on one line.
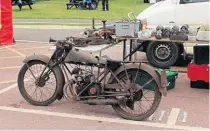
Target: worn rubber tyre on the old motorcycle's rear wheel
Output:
[(138, 117)]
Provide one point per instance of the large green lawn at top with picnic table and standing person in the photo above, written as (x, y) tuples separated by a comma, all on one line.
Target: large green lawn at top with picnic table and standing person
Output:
[(56, 9)]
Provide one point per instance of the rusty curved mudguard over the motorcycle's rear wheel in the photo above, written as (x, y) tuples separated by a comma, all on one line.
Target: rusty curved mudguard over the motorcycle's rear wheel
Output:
[(161, 80)]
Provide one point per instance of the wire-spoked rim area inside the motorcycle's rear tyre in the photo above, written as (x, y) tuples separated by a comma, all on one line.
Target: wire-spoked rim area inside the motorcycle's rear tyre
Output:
[(143, 103)]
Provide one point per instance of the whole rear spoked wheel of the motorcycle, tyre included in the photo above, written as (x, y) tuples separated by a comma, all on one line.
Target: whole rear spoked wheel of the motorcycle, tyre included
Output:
[(146, 97)]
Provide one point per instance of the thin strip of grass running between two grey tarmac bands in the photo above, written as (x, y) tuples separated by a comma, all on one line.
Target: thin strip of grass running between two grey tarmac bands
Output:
[(59, 24)]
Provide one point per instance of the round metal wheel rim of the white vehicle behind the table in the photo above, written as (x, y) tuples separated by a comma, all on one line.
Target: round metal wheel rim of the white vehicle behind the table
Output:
[(163, 52)]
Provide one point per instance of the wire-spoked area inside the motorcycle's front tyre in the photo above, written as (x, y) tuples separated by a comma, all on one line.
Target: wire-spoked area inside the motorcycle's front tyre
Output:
[(37, 89)]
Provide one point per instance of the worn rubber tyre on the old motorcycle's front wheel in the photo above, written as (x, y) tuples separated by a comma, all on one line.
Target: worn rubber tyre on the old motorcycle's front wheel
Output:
[(22, 89)]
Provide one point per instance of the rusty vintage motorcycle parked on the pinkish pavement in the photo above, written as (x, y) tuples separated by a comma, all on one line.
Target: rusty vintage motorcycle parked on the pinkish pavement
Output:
[(121, 84)]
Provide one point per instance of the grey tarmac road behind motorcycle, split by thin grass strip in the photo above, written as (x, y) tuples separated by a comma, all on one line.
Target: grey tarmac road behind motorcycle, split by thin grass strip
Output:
[(33, 33)]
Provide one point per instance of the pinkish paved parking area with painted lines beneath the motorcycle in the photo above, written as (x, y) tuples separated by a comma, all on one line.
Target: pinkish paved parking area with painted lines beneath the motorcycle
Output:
[(183, 108)]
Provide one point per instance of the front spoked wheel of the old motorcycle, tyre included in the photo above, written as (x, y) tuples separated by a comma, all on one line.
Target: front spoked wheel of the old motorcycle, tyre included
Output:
[(40, 86)]
